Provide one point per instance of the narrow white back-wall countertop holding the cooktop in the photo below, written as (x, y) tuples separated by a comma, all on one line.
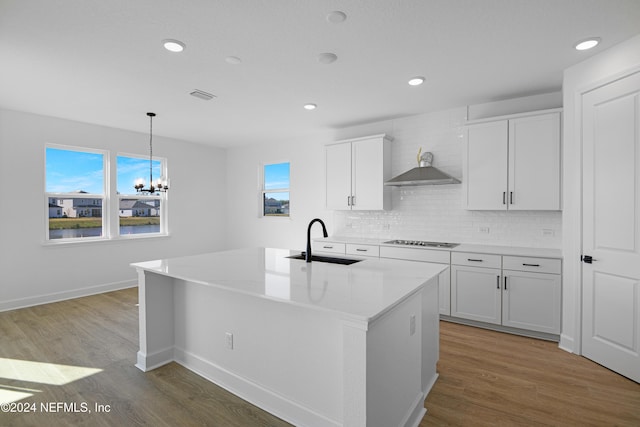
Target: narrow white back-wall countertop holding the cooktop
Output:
[(462, 247)]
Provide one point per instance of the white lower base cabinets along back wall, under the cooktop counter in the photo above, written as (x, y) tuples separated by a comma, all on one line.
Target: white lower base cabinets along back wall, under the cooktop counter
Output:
[(509, 293)]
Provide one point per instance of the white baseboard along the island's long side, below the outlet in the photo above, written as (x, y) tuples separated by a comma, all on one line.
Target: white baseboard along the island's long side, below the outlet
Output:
[(252, 392)]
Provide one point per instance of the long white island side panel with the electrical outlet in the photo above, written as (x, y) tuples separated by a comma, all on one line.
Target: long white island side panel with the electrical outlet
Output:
[(283, 358)]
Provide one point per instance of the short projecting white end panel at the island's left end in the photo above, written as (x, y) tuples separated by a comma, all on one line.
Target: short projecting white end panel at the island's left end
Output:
[(155, 304)]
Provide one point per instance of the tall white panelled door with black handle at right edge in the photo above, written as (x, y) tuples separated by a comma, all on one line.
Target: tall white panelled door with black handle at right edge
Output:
[(611, 226)]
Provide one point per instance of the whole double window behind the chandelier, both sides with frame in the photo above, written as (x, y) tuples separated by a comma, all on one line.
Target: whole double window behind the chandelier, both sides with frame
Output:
[(80, 205)]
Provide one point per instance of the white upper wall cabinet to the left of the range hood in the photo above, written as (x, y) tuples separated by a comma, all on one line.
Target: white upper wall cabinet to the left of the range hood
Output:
[(356, 170)]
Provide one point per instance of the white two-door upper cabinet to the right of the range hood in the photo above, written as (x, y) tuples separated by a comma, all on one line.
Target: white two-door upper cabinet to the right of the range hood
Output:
[(513, 163)]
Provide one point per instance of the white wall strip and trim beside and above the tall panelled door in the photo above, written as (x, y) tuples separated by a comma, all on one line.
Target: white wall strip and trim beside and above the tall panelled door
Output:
[(613, 63)]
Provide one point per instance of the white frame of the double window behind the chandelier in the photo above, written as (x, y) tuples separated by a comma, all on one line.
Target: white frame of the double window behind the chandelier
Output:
[(110, 198)]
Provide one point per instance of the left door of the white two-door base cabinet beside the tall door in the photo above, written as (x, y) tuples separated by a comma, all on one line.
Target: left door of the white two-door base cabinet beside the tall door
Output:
[(476, 294)]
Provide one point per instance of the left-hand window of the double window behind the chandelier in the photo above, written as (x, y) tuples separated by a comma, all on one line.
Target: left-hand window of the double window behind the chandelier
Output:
[(75, 193)]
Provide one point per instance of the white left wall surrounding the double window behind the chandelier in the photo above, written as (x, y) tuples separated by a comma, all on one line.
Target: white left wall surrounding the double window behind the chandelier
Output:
[(33, 273)]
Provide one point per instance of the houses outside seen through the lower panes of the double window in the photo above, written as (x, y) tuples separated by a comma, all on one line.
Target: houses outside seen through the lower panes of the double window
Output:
[(79, 207)]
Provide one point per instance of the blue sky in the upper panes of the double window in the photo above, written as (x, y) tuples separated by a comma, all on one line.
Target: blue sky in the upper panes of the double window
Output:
[(68, 171)]
